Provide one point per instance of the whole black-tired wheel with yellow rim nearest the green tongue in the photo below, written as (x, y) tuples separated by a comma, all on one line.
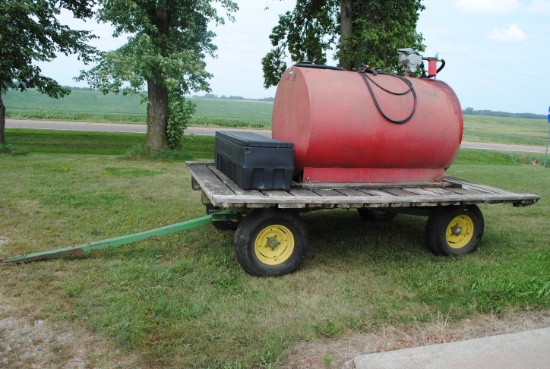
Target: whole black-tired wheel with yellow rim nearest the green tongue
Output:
[(271, 242)]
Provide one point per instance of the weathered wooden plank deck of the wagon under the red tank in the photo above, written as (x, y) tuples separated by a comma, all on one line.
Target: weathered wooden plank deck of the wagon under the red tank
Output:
[(224, 193)]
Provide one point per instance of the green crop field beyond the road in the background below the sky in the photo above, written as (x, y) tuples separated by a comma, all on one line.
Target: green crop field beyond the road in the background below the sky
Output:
[(86, 105)]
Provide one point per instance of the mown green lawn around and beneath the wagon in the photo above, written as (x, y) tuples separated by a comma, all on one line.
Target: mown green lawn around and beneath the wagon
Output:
[(182, 301)]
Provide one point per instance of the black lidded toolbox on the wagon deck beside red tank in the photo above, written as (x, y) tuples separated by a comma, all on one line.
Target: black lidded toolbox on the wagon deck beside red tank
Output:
[(253, 161)]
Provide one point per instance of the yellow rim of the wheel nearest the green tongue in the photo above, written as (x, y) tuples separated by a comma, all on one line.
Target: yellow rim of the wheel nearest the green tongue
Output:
[(274, 245)]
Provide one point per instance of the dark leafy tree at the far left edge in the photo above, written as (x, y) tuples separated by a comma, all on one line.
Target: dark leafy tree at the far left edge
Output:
[(30, 32)]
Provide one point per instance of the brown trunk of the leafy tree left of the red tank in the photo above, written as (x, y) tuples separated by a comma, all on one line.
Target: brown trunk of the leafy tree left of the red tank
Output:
[(157, 116)]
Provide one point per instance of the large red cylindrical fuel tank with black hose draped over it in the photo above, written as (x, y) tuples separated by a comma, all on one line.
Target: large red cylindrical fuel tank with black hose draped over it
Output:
[(378, 128)]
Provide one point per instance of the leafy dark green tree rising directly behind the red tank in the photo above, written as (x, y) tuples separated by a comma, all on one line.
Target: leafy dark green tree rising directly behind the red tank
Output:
[(362, 32)]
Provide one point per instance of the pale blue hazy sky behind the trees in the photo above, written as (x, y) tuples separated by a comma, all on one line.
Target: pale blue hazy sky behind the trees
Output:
[(495, 51)]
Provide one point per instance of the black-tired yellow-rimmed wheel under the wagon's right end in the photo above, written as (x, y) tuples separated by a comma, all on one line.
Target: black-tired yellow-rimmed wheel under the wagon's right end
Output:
[(454, 230)]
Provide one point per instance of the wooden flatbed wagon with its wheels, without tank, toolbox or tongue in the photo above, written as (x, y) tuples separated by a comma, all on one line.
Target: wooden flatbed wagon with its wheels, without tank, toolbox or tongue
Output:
[(271, 238)]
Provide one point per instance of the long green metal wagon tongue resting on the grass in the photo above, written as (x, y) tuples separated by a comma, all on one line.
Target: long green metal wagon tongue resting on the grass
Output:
[(225, 215)]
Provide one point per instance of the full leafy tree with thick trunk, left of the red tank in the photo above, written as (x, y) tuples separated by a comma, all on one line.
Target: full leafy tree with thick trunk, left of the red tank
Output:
[(165, 53)]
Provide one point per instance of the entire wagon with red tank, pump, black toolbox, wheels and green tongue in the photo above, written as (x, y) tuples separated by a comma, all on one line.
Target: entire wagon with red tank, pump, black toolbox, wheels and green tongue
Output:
[(384, 140)]
